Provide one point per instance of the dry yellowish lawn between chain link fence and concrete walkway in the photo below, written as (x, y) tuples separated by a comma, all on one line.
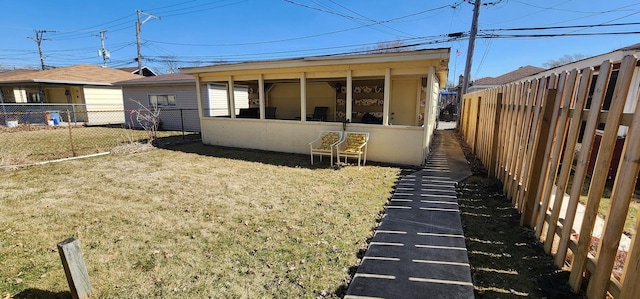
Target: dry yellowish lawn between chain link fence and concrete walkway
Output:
[(192, 222)]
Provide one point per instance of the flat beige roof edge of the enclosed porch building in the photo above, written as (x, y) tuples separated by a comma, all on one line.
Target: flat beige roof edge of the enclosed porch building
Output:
[(413, 61)]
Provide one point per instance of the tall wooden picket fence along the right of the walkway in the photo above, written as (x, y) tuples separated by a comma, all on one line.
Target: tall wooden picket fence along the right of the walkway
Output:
[(526, 133)]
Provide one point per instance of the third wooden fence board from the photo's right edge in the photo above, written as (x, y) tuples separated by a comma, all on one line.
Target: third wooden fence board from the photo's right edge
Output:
[(583, 159)]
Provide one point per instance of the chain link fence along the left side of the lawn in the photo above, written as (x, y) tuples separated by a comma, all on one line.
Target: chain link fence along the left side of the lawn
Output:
[(37, 133)]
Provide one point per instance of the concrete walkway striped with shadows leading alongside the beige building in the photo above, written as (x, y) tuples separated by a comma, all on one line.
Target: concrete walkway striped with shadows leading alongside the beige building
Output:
[(419, 250)]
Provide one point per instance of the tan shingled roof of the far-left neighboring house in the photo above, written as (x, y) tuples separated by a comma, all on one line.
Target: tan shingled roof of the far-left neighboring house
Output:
[(81, 74)]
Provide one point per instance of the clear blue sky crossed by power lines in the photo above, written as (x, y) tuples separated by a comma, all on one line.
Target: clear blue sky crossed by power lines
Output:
[(182, 33)]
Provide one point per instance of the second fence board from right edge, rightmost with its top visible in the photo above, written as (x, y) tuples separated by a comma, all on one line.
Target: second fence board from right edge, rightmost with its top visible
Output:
[(605, 152)]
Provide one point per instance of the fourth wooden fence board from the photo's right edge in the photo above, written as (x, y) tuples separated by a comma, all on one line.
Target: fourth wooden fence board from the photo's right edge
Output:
[(567, 161)]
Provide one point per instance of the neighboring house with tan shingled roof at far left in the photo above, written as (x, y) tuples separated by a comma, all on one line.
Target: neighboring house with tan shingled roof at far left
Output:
[(86, 90)]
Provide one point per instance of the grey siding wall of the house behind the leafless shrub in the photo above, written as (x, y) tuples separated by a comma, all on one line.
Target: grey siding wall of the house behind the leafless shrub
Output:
[(169, 115)]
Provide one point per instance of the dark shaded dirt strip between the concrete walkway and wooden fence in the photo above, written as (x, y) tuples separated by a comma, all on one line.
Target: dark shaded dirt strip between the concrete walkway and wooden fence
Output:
[(506, 259)]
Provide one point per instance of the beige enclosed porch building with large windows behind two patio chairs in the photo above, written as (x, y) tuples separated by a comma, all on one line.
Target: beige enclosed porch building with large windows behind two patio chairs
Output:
[(392, 96)]
